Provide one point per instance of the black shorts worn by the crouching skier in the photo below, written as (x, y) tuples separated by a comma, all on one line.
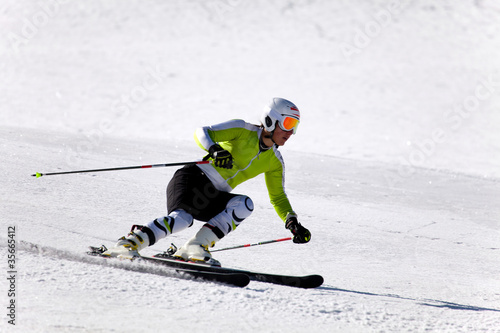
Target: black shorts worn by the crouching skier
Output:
[(191, 190)]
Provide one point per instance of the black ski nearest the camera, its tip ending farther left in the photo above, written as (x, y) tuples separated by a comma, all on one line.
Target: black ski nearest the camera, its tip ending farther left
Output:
[(229, 278)]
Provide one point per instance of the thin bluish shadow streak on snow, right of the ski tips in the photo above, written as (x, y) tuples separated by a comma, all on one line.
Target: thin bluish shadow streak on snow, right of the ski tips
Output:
[(424, 301)]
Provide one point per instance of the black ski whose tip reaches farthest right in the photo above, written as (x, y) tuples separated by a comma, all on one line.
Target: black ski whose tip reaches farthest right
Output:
[(308, 281)]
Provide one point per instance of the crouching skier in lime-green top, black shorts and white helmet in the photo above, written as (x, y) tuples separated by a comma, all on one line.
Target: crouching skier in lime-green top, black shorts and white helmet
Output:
[(238, 151)]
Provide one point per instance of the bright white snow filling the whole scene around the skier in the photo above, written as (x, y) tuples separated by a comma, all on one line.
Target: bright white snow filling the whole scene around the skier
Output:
[(395, 168)]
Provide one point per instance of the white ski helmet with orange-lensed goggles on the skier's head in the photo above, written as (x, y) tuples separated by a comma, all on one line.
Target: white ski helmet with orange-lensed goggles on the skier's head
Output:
[(282, 112)]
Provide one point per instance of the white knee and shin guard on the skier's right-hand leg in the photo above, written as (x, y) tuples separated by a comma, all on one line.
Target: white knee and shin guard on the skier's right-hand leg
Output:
[(237, 209)]
